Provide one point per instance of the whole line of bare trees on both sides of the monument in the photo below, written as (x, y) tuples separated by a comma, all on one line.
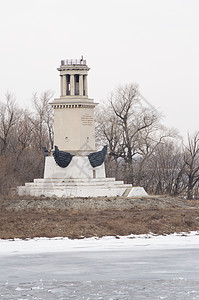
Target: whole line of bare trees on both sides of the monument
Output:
[(141, 150)]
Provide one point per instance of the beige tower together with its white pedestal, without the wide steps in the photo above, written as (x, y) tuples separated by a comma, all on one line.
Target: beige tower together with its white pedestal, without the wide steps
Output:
[(74, 126)]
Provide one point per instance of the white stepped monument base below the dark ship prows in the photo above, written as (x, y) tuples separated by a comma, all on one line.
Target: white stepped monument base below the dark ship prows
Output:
[(78, 179)]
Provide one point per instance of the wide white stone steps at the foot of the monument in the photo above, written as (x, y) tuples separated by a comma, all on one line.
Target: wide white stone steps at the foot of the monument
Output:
[(65, 187)]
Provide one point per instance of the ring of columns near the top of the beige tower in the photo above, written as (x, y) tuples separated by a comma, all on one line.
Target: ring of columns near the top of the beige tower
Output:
[(72, 84)]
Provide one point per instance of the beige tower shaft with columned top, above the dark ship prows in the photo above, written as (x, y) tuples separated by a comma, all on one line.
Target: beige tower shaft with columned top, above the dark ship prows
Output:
[(74, 126)]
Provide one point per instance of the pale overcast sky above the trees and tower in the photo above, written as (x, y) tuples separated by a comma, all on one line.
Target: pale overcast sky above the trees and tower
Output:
[(154, 43)]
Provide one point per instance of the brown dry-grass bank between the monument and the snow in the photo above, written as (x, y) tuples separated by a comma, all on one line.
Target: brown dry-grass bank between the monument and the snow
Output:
[(85, 217)]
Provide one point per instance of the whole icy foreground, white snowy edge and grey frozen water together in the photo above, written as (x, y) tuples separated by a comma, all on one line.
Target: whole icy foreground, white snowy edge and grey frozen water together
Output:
[(109, 268)]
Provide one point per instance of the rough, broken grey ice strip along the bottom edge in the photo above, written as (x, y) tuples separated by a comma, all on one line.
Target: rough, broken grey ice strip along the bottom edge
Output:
[(176, 289)]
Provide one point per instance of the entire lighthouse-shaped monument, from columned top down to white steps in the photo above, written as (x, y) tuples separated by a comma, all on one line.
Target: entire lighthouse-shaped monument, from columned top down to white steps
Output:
[(74, 168)]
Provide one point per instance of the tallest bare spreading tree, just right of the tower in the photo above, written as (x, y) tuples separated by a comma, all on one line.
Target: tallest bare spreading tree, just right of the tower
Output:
[(130, 130)]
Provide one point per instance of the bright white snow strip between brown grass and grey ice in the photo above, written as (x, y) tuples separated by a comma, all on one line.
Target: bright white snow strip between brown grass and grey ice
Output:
[(108, 243)]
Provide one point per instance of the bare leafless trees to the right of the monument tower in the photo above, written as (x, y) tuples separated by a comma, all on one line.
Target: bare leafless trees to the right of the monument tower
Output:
[(142, 151)]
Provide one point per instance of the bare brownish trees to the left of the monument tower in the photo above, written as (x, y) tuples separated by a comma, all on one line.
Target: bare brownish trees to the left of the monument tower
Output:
[(23, 132)]
